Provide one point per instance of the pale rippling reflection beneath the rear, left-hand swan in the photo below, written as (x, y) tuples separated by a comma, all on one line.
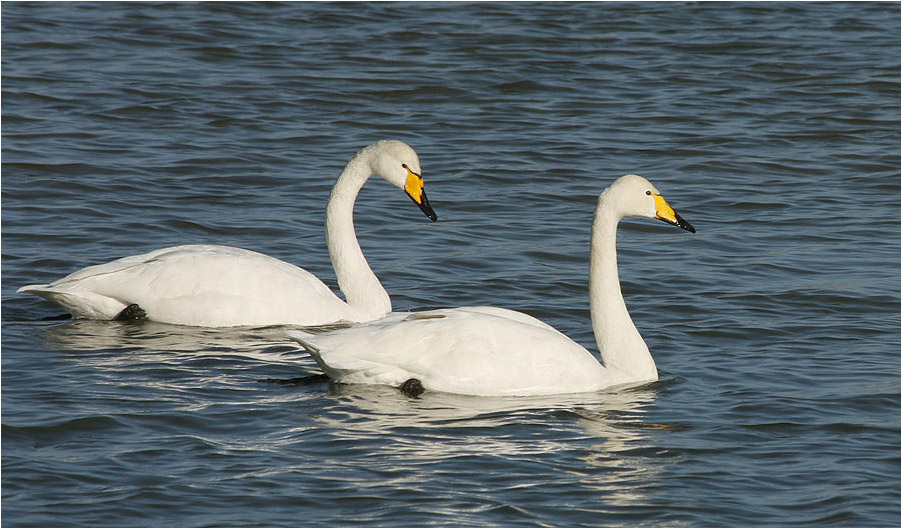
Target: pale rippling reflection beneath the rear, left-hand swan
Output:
[(170, 357)]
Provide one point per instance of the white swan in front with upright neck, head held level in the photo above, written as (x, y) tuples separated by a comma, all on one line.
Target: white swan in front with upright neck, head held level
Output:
[(497, 352)]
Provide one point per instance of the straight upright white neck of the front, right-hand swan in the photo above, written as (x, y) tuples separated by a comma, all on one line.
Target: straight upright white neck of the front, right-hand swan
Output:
[(622, 349)]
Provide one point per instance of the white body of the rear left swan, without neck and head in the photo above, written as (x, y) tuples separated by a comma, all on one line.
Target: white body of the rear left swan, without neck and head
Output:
[(199, 285)]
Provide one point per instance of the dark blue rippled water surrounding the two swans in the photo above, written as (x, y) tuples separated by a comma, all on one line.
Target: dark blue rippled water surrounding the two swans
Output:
[(773, 128)]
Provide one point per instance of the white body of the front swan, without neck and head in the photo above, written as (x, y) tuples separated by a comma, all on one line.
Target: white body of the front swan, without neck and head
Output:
[(468, 350)]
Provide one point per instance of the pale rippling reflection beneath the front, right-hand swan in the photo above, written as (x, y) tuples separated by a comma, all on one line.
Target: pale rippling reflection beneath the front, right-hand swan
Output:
[(600, 440)]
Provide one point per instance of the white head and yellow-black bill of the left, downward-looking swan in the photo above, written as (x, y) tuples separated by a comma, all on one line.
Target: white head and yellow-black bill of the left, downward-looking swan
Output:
[(398, 163)]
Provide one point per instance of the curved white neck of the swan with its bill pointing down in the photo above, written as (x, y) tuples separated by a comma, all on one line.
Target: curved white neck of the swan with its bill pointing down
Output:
[(366, 297)]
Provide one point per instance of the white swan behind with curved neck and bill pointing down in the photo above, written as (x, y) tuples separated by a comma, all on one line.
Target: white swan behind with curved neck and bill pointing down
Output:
[(221, 286)]
